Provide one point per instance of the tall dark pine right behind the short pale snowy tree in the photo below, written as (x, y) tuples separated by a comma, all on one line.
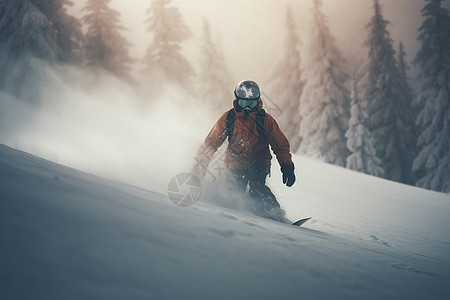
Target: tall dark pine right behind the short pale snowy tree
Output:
[(390, 115)]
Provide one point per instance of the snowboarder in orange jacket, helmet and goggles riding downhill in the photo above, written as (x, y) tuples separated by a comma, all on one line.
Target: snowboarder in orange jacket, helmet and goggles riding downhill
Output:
[(250, 131)]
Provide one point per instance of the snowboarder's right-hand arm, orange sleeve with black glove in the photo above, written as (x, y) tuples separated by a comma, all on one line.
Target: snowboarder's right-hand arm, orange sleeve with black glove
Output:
[(280, 146)]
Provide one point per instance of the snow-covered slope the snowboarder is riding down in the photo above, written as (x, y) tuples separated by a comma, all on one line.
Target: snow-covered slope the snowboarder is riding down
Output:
[(65, 234)]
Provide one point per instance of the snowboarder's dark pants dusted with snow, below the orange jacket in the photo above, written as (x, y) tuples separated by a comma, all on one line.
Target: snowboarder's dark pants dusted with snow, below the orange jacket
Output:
[(263, 201)]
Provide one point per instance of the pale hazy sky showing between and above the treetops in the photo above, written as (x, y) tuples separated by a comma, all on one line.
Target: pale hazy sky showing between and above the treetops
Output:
[(252, 32)]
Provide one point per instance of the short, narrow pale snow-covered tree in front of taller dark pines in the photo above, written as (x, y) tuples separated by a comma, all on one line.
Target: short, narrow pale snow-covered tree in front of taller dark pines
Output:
[(359, 139)]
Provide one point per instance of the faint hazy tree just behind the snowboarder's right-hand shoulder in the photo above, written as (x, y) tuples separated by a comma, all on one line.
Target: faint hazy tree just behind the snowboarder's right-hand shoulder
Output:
[(286, 86)]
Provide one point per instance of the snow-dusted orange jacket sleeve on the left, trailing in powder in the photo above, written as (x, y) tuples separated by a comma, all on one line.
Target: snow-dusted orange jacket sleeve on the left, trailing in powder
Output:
[(213, 141)]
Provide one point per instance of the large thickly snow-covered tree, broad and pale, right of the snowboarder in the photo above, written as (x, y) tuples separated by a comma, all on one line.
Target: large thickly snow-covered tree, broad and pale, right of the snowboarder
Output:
[(325, 101)]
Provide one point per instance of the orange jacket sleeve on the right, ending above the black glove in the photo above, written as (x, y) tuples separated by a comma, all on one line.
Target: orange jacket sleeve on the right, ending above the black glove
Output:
[(278, 142)]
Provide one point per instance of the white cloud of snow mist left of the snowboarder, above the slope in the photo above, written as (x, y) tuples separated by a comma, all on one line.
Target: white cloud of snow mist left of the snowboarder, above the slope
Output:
[(107, 129)]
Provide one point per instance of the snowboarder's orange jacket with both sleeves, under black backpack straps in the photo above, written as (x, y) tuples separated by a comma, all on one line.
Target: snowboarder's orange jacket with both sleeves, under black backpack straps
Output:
[(245, 148)]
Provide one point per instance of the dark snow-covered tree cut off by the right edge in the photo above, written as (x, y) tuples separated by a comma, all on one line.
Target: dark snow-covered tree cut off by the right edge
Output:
[(432, 165)]
